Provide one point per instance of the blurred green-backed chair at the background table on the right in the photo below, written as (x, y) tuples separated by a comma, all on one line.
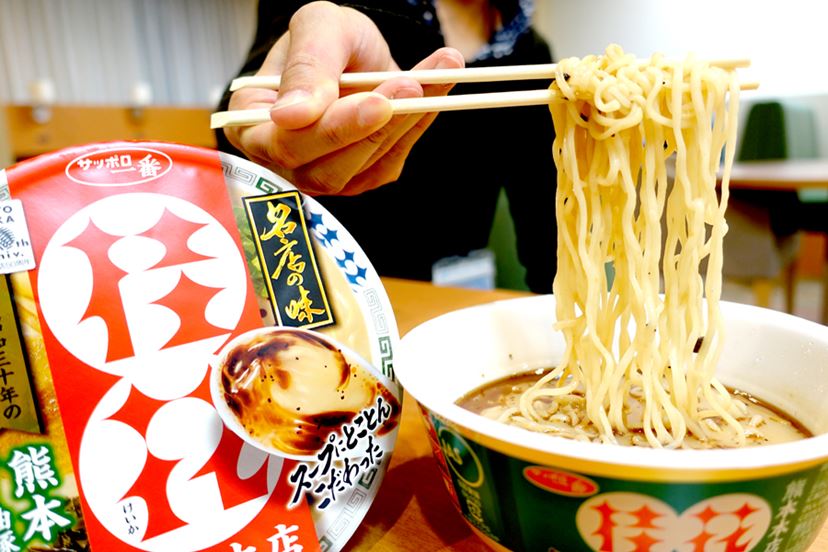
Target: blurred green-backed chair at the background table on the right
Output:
[(763, 240)]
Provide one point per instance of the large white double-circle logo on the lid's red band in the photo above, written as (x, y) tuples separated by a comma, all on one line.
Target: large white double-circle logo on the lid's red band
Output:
[(132, 254)]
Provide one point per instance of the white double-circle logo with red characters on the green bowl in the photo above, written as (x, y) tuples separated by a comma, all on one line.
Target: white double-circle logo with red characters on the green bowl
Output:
[(632, 521)]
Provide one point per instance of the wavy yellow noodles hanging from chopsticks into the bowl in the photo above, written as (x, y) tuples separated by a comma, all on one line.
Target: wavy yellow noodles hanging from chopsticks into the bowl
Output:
[(650, 338)]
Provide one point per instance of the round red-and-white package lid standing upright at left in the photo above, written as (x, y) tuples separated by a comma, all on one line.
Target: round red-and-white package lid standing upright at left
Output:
[(150, 260)]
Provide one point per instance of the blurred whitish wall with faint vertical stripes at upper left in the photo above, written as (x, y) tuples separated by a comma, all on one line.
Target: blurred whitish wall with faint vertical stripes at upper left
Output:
[(179, 52)]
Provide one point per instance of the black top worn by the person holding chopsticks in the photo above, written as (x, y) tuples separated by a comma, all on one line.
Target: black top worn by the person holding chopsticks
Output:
[(444, 202)]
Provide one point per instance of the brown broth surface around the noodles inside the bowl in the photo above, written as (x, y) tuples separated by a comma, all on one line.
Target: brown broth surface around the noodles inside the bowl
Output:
[(778, 427)]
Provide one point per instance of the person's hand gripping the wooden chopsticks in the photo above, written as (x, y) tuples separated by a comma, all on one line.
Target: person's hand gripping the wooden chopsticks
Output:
[(321, 142)]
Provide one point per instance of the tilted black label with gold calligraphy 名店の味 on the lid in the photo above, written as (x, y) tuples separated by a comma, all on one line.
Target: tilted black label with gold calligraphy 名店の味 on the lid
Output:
[(291, 275)]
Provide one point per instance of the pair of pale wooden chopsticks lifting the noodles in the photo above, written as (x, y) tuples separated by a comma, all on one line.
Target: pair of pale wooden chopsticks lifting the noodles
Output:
[(427, 104)]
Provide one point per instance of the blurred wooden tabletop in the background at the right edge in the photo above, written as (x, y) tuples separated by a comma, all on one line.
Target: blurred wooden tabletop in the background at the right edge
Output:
[(789, 174)]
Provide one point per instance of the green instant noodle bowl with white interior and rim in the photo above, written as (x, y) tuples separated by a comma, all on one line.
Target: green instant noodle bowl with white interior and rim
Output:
[(523, 490)]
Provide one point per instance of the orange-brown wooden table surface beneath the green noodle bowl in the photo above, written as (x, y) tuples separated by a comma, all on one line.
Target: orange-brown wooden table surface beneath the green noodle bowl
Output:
[(412, 510)]
